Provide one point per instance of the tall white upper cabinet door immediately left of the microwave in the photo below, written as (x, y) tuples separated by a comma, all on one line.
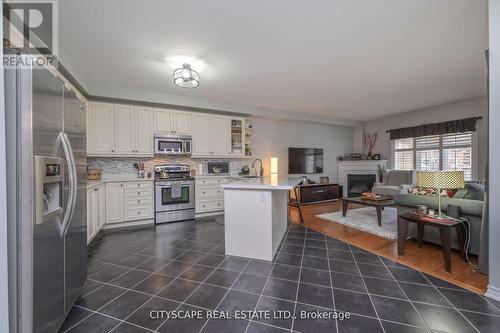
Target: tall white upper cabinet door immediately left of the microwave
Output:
[(143, 130)]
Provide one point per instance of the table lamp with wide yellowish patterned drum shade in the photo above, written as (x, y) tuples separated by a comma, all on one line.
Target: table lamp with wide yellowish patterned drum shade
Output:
[(440, 180)]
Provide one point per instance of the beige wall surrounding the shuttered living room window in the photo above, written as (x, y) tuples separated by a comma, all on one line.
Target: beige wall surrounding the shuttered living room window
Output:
[(458, 110)]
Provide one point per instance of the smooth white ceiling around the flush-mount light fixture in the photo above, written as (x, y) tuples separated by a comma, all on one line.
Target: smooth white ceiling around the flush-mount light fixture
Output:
[(348, 59)]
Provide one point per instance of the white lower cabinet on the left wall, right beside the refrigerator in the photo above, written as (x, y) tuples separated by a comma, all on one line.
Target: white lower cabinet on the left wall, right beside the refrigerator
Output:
[(96, 211)]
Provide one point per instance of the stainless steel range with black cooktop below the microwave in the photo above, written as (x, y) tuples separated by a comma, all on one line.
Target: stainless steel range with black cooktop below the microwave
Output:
[(174, 193)]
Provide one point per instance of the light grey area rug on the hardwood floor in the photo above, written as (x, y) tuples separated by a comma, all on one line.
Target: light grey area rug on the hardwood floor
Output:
[(365, 219)]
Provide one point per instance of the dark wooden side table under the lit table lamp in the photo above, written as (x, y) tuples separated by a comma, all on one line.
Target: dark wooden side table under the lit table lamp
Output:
[(444, 230)]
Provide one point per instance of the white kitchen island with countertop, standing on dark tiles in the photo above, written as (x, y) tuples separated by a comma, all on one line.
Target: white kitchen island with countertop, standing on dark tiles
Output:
[(256, 215)]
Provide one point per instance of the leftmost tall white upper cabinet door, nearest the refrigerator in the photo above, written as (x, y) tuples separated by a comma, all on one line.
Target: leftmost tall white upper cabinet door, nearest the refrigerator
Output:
[(103, 128)]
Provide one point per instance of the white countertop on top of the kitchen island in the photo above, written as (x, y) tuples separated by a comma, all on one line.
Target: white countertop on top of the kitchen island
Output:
[(264, 183)]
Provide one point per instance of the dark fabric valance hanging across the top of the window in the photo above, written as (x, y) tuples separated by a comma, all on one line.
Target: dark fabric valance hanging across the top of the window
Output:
[(445, 127)]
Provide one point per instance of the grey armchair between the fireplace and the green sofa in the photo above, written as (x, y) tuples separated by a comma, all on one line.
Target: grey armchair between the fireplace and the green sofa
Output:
[(394, 182)]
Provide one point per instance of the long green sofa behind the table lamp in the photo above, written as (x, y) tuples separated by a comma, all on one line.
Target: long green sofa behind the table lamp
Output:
[(471, 202)]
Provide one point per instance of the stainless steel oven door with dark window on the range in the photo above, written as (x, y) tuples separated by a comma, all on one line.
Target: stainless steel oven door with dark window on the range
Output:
[(175, 195)]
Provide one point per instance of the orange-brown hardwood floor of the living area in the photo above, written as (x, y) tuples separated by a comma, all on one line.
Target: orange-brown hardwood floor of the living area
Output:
[(428, 259)]
